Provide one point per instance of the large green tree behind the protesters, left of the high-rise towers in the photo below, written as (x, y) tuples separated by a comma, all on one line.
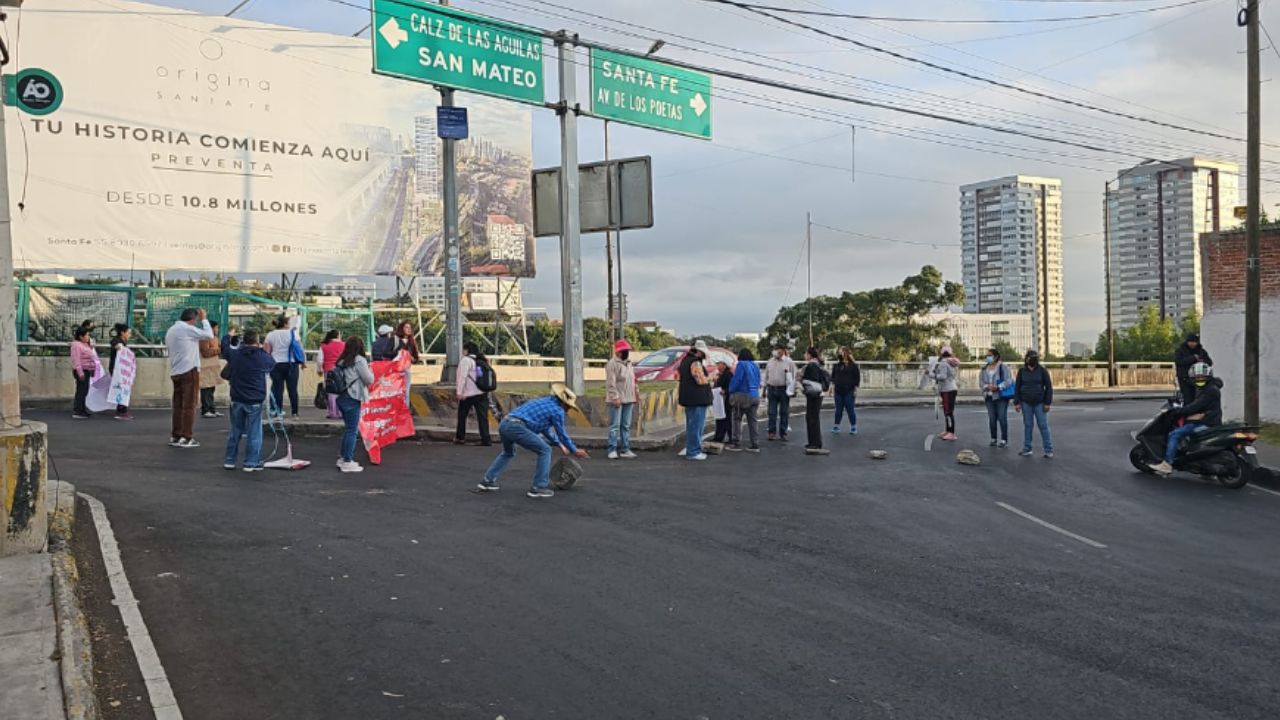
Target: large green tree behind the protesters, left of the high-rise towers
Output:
[(879, 325)]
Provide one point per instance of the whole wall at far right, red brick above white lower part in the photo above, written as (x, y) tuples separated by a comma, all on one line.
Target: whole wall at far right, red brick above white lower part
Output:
[(1223, 325)]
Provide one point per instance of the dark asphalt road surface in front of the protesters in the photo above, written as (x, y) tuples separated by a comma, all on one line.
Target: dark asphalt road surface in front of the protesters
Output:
[(749, 586)]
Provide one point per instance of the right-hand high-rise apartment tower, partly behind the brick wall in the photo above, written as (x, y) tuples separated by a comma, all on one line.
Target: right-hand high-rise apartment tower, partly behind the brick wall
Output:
[(1156, 213)]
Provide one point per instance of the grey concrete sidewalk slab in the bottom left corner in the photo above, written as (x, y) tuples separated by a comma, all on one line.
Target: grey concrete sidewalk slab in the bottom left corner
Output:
[(30, 676)]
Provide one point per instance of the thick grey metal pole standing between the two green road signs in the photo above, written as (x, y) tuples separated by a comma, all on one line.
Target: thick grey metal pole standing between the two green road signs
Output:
[(572, 241)]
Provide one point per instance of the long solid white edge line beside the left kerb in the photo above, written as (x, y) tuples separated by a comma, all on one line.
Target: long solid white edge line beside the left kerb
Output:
[(163, 703)]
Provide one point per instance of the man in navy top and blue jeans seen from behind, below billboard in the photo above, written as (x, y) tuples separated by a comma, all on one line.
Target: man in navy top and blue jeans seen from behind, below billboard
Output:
[(249, 366)]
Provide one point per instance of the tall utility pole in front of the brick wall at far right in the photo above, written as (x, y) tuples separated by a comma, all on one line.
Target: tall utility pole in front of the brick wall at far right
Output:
[(1252, 279)]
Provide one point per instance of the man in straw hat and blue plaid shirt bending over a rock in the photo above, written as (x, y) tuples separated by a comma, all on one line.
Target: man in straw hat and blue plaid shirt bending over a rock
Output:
[(536, 426)]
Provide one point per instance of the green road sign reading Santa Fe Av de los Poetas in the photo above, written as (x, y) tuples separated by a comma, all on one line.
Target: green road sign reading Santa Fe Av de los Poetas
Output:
[(651, 94)]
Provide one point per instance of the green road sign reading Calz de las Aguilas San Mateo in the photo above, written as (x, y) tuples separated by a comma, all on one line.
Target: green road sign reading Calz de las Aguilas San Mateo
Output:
[(423, 42)]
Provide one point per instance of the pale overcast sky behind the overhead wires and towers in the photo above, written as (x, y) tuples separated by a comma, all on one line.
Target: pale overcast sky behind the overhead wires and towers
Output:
[(730, 218)]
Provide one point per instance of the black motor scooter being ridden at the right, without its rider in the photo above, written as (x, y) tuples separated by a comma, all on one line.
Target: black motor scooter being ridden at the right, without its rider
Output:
[(1224, 454)]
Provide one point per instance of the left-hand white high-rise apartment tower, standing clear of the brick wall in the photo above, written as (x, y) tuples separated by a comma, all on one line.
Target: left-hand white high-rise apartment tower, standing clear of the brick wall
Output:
[(1012, 254)]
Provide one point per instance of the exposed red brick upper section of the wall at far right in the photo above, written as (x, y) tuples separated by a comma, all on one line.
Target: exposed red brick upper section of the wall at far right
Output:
[(1223, 268)]
